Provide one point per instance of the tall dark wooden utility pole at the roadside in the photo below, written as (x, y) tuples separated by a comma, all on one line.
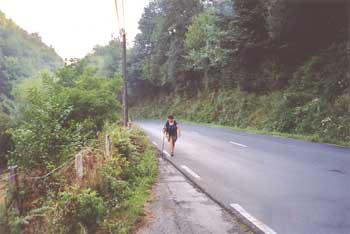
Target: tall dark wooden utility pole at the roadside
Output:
[(125, 92)]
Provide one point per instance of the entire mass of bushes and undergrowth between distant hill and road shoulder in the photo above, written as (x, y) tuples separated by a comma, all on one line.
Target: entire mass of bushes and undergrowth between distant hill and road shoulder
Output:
[(57, 116)]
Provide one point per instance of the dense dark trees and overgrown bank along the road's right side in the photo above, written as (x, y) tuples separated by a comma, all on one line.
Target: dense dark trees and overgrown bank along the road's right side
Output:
[(269, 65)]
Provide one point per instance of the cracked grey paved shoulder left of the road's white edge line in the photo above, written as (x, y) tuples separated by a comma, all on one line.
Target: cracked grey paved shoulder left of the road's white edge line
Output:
[(179, 207)]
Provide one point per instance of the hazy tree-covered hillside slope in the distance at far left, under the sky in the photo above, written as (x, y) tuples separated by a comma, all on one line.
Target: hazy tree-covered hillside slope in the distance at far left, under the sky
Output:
[(23, 54)]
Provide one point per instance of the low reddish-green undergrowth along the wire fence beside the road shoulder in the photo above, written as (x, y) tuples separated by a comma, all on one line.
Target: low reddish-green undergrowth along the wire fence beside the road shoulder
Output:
[(110, 199)]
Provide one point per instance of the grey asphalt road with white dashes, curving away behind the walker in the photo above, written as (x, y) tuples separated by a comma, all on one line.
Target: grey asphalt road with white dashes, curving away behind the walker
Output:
[(292, 186)]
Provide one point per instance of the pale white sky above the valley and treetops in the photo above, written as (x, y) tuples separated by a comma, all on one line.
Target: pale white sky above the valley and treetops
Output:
[(74, 27)]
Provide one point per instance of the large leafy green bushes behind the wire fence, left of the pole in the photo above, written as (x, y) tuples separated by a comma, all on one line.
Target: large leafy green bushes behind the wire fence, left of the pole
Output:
[(58, 118)]
